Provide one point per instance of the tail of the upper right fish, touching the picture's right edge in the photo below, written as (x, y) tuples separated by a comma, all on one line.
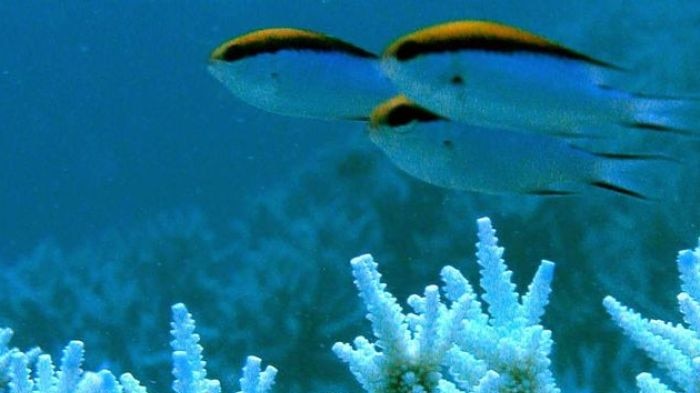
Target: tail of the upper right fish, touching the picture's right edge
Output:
[(671, 115)]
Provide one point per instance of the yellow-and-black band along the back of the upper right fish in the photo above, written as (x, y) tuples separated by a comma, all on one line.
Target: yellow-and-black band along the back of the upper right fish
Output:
[(478, 35)]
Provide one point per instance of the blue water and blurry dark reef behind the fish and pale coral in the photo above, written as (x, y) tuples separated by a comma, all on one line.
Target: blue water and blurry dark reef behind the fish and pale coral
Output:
[(131, 180)]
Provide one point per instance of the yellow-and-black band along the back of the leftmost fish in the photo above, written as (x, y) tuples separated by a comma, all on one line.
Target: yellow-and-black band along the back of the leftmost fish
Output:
[(276, 39)]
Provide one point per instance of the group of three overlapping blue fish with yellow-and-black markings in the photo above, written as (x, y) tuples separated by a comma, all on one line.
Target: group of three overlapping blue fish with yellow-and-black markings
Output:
[(469, 105)]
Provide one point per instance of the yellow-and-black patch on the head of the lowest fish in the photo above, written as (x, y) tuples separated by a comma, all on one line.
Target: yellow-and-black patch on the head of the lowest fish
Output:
[(399, 111)]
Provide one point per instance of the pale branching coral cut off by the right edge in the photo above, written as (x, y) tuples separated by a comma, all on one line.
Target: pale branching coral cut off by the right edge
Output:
[(675, 348)]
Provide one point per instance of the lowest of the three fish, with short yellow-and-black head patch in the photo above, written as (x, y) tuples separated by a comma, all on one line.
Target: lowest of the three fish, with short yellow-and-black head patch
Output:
[(458, 156)]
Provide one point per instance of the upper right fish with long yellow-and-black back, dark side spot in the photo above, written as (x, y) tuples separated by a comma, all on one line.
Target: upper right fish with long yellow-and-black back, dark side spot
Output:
[(495, 75)]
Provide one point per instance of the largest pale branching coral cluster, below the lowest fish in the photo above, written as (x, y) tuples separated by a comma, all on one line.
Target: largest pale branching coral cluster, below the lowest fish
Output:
[(504, 350)]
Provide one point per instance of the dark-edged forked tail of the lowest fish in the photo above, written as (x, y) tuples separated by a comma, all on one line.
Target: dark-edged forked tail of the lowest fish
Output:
[(643, 177)]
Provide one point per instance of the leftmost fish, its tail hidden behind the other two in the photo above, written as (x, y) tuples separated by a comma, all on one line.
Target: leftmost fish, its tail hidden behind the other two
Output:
[(301, 73)]
